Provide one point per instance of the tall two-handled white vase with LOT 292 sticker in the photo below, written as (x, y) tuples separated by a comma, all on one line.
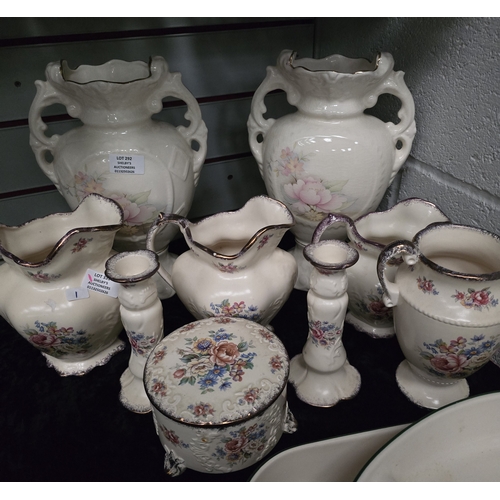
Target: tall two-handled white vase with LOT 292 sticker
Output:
[(148, 166)]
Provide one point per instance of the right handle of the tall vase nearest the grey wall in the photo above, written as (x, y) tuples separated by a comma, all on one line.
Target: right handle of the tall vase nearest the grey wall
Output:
[(405, 130)]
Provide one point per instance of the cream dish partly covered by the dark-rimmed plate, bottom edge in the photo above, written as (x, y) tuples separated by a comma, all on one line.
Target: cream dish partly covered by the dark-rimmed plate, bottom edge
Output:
[(336, 459)]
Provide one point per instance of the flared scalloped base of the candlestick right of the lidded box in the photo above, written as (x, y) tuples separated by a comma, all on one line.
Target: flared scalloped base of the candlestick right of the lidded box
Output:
[(325, 389)]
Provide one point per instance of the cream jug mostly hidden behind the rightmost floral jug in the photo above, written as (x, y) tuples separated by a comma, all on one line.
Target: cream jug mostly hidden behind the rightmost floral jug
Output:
[(369, 234)]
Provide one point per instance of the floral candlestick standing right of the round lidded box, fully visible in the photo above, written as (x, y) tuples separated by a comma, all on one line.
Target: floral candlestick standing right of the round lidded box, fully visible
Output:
[(321, 374)]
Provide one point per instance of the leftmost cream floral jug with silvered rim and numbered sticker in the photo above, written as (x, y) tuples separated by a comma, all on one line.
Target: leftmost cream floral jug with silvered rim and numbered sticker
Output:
[(46, 293)]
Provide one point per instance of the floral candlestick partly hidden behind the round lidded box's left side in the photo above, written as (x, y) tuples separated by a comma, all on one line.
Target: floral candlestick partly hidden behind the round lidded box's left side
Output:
[(142, 317)]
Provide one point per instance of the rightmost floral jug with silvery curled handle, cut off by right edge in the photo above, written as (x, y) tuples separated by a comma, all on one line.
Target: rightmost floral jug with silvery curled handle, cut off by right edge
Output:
[(446, 314)]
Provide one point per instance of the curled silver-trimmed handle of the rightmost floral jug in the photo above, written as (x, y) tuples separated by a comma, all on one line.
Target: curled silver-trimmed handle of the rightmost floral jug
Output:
[(393, 252)]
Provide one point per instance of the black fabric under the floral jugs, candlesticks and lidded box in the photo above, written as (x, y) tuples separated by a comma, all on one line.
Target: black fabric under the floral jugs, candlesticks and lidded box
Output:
[(57, 428)]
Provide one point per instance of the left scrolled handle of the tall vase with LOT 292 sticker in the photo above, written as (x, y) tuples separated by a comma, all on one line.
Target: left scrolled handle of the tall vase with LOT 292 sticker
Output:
[(41, 144)]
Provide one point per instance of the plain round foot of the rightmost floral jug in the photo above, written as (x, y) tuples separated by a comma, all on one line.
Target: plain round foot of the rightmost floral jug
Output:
[(427, 394)]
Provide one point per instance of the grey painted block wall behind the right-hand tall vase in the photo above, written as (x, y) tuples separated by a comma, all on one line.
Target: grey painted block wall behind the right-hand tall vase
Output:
[(451, 67)]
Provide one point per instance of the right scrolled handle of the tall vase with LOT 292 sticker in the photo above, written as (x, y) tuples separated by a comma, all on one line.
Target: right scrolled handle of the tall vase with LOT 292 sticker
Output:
[(197, 131)]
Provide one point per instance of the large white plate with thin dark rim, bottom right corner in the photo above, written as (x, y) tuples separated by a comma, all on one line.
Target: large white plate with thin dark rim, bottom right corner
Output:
[(459, 442)]
